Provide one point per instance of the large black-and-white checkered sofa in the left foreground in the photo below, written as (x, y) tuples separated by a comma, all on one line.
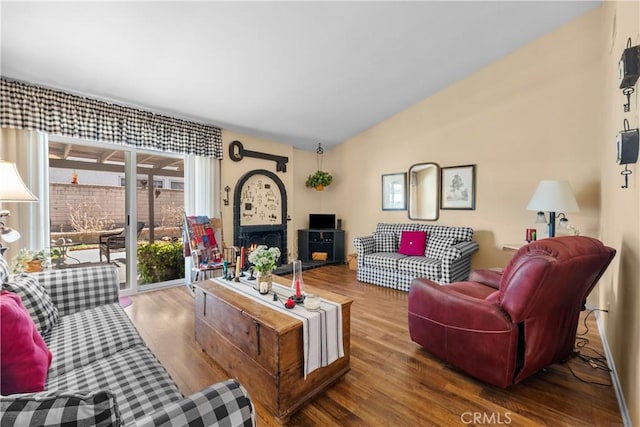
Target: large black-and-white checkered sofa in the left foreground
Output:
[(102, 373)]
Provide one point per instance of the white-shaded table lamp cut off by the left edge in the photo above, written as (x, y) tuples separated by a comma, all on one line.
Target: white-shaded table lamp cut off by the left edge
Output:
[(12, 189)]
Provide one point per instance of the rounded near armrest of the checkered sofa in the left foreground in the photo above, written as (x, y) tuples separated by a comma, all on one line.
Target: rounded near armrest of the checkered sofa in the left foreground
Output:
[(221, 404)]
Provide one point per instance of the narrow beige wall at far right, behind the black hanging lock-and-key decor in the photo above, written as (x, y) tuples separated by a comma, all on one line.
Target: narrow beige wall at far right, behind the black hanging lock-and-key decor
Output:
[(620, 221)]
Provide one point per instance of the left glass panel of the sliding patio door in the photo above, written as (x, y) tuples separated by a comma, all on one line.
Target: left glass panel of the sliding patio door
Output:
[(89, 209)]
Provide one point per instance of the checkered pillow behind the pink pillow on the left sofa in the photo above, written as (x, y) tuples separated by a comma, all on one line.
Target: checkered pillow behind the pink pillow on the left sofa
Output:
[(36, 300)]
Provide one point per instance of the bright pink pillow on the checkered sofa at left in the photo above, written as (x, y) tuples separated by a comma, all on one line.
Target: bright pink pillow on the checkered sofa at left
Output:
[(24, 356)]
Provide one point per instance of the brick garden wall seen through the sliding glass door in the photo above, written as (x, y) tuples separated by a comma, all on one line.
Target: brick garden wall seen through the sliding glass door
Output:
[(102, 201)]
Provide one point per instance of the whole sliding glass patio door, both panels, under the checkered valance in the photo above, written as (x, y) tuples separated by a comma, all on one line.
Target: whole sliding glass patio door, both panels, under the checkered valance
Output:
[(116, 205)]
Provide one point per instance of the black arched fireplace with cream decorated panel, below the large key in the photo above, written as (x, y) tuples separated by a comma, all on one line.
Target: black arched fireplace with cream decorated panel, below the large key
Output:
[(260, 212)]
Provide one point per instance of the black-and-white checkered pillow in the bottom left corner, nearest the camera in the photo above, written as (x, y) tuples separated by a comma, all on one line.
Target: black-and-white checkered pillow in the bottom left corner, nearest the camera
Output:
[(57, 408)]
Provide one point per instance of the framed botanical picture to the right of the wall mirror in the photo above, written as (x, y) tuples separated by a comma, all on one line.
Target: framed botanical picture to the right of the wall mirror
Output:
[(458, 187)]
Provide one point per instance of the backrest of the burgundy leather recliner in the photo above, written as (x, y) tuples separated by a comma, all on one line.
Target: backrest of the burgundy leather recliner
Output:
[(543, 289)]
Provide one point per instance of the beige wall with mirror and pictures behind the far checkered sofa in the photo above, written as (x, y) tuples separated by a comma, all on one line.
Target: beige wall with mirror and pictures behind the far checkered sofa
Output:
[(536, 114)]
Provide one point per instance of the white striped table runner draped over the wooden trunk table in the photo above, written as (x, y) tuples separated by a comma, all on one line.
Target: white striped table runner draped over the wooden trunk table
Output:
[(321, 330)]
